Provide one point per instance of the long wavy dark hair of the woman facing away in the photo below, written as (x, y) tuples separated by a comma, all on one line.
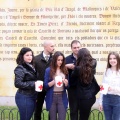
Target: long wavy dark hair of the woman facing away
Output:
[(85, 61)]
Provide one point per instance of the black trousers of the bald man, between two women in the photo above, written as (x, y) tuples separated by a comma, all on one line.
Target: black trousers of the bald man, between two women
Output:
[(39, 105)]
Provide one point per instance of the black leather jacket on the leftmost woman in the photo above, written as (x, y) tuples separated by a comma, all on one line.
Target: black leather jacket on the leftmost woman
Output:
[(25, 77)]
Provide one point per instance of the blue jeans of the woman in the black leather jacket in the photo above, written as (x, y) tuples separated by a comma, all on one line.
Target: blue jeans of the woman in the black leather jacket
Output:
[(26, 105)]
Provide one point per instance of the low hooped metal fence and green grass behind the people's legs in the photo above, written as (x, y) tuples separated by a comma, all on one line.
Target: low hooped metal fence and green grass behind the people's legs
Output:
[(13, 114)]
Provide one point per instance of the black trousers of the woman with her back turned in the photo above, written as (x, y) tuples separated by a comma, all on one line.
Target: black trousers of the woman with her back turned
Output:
[(85, 107)]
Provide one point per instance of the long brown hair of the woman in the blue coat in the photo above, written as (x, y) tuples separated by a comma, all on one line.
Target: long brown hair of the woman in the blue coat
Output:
[(53, 66)]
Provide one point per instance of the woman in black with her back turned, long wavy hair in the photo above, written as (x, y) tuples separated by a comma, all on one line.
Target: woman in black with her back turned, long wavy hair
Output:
[(83, 74)]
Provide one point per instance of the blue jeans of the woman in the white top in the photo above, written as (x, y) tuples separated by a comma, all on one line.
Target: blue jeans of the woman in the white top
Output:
[(111, 107)]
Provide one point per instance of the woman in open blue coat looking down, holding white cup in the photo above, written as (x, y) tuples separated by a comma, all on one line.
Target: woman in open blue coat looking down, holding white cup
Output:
[(56, 97)]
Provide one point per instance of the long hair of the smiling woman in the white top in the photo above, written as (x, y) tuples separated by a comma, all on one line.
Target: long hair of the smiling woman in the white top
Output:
[(117, 58)]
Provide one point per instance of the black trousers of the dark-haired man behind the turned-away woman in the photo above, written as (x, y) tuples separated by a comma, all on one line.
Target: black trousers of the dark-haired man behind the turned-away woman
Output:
[(73, 103)]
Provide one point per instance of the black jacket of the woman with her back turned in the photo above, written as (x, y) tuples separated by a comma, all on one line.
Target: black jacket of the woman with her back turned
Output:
[(84, 91)]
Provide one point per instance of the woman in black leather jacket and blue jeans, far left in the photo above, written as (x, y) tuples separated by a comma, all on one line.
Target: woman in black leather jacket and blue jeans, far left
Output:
[(25, 78)]
